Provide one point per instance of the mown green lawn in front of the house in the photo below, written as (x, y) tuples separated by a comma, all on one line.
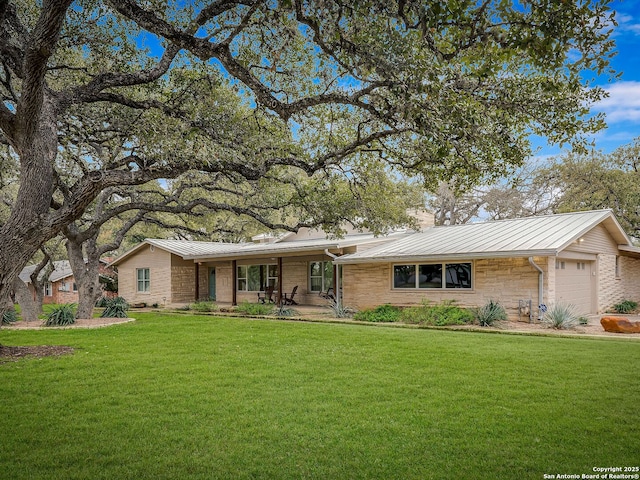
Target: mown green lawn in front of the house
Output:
[(205, 397)]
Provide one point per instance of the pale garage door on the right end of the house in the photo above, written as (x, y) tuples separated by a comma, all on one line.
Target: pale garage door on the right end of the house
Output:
[(574, 285)]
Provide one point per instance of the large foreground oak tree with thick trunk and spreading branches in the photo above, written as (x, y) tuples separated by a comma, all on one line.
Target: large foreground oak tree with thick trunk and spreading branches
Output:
[(443, 89)]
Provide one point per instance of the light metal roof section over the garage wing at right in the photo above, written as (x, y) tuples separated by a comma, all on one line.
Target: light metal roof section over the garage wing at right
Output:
[(543, 235)]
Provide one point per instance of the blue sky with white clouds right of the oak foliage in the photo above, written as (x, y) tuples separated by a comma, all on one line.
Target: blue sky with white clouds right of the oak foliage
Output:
[(622, 107)]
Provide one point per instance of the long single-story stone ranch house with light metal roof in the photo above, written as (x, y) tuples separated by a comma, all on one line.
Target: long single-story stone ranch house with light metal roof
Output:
[(582, 258)]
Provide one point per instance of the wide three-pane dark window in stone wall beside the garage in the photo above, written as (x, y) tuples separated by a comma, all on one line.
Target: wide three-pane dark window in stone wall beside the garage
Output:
[(432, 275)]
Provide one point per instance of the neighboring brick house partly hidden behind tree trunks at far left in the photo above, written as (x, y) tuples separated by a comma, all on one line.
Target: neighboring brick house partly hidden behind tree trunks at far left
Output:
[(61, 287)]
